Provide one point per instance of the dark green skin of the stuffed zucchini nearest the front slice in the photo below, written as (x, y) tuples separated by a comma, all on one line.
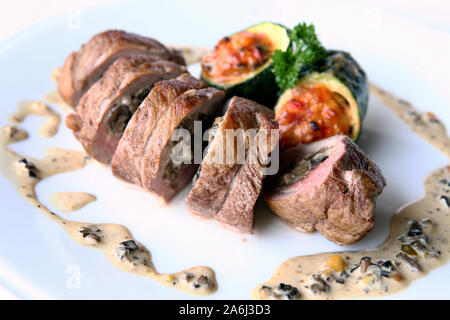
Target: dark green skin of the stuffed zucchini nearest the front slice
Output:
[(341, 65)]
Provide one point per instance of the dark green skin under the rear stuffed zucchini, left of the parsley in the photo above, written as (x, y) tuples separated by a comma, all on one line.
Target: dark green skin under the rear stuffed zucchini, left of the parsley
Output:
[(261, 88)]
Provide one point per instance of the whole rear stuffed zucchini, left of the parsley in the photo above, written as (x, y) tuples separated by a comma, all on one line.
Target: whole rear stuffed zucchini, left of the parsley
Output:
[(241, 63)]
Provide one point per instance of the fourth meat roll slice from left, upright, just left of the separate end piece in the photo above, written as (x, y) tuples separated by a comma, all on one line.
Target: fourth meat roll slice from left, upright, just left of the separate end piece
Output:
[(228, 190)]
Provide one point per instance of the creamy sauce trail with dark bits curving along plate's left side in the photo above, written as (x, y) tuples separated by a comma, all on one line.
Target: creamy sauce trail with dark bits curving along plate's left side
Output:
[(114, 240)]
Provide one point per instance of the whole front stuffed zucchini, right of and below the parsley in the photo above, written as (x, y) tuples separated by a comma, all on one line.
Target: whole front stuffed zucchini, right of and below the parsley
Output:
[(329, 101)]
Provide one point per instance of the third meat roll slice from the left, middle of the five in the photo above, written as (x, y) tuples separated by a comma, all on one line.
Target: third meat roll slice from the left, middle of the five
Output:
[(144, 155)]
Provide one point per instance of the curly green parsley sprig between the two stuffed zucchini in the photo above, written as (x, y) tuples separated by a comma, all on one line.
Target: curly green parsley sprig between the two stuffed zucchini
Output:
[(306, 52)]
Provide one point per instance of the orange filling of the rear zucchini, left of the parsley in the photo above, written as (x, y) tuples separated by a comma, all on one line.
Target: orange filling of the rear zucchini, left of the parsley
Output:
[(236, 56)]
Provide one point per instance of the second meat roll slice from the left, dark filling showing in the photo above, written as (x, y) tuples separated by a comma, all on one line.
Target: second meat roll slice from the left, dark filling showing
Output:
[(106, 108)]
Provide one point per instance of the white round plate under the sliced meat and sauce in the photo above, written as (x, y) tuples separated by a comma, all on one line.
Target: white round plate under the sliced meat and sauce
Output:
[(36, 256)]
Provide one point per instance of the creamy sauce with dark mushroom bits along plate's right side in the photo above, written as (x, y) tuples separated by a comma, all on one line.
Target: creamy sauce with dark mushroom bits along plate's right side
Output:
[(418, 241)]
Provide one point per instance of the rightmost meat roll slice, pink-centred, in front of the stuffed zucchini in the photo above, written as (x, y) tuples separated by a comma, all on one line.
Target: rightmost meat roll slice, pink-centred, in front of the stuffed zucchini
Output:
[(329, 186)]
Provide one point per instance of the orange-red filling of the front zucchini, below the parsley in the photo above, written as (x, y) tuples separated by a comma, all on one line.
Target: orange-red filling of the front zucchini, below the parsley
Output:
[(314, 113)]
